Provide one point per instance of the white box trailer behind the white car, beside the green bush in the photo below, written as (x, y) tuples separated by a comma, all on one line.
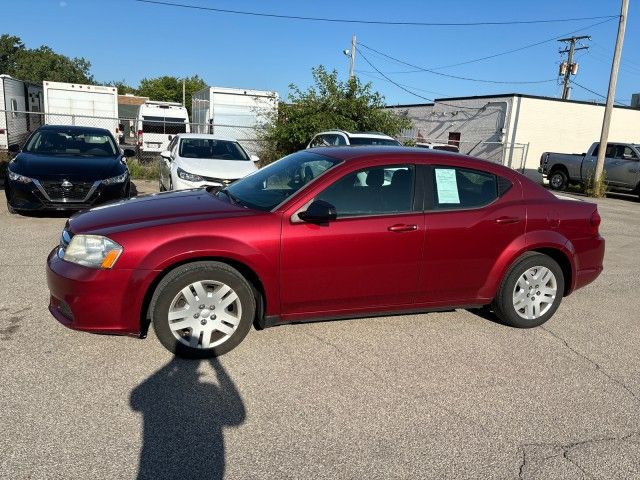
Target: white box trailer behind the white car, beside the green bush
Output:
[(233, 113)]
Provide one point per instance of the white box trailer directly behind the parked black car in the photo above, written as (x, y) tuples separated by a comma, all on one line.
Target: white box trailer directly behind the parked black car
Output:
[(86, 105)]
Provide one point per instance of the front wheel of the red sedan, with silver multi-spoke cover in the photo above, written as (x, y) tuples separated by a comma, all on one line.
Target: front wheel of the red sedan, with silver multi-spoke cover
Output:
[(202, 309)]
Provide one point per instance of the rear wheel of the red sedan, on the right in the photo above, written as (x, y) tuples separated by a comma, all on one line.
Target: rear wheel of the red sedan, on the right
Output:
[(531, 291)]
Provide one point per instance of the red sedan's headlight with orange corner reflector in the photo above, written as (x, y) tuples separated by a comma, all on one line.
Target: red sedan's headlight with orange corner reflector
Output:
[(92, 251)]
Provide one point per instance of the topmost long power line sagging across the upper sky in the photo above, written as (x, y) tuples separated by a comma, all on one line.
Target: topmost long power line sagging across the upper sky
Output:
[(374, 22)]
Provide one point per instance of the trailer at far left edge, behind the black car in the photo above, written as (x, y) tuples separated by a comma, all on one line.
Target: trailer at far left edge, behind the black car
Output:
[(18, 97)]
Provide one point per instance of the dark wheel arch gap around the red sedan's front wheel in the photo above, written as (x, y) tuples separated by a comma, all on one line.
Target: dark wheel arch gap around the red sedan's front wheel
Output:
[(245, 270)]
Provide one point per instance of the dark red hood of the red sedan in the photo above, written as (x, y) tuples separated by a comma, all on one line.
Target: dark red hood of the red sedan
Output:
[(154, 210)]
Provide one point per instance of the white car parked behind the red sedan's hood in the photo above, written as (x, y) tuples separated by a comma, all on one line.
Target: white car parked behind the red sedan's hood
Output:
[(195, 160)]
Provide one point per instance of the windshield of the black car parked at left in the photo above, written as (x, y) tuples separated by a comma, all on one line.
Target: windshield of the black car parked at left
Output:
[(71, 142)]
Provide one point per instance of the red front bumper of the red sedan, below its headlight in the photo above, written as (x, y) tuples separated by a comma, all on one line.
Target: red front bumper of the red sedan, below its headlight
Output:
[(94, 300)]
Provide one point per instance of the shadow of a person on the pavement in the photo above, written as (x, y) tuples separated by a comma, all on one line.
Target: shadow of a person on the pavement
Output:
[(184, 414)]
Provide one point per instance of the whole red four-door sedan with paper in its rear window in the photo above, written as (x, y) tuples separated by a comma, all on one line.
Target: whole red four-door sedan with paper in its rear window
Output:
[(324, 234)]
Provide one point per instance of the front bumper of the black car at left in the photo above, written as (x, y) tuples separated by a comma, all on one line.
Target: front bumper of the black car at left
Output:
[(34, 196)]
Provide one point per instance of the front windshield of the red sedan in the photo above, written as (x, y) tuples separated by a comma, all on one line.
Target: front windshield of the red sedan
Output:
[(271, 185)]
